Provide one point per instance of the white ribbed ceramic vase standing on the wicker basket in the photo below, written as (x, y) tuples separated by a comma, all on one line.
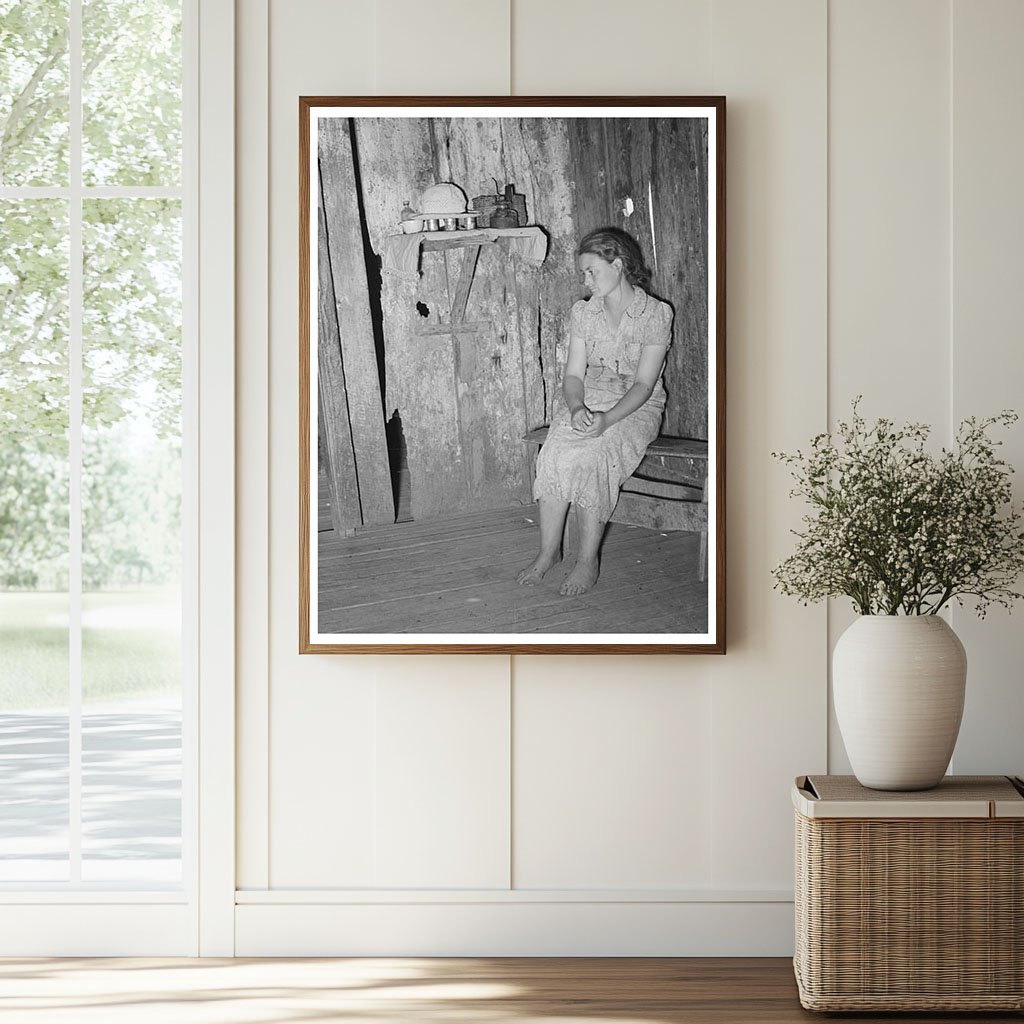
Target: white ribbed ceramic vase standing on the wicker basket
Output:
[(899, 686)]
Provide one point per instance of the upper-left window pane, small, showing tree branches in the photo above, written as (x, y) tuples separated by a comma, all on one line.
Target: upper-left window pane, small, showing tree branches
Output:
[(34, 93)]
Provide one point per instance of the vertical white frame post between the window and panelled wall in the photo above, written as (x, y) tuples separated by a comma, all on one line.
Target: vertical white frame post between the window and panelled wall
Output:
[(217, 480)]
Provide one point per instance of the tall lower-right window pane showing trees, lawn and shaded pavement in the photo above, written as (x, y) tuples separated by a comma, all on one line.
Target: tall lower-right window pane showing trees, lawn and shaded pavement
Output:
[(132, 541)]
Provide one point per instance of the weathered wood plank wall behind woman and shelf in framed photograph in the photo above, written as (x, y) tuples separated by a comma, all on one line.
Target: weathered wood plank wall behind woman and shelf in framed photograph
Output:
[(466, 400)]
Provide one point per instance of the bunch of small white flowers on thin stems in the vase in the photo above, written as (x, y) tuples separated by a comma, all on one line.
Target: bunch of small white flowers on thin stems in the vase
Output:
[(901, 531)]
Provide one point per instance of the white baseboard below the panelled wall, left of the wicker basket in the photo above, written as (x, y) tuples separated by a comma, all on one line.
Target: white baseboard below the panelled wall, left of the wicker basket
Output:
[(515, 929)]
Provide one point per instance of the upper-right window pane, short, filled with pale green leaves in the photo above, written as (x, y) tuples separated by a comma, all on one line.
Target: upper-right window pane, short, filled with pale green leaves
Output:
[(132, 93)]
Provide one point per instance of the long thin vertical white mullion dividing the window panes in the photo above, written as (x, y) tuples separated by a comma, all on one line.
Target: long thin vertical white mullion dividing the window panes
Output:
[(76, 294)]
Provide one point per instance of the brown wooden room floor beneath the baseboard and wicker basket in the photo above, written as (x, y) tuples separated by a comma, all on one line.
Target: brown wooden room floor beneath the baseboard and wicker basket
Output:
[(415, 992)]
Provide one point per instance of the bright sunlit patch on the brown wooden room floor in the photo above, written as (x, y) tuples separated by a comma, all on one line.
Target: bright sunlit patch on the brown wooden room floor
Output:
[(275, 992)]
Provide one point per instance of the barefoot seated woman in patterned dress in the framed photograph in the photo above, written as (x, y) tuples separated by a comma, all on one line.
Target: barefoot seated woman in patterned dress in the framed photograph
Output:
[(614, 402)]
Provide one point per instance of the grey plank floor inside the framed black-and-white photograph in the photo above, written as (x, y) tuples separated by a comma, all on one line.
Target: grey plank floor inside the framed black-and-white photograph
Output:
[(458, 576)]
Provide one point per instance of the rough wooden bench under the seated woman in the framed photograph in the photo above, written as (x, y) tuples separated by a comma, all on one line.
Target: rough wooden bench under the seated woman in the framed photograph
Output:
[(669, 491)]
